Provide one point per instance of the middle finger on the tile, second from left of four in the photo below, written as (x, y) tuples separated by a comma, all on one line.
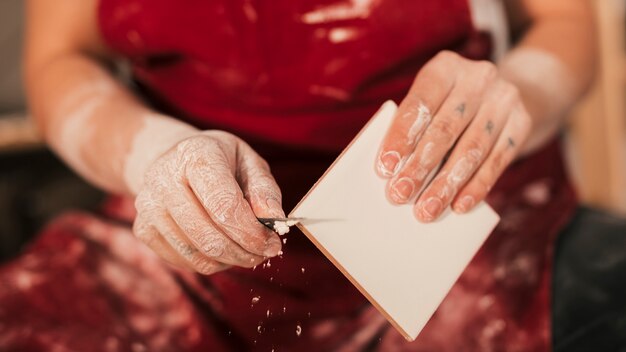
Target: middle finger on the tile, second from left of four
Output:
[(449, 122)]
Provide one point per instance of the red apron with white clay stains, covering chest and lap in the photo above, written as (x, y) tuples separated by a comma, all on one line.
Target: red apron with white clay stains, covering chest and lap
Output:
[(296, 79)]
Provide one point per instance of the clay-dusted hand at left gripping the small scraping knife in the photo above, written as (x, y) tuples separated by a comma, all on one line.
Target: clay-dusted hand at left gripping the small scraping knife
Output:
[(199, 203)]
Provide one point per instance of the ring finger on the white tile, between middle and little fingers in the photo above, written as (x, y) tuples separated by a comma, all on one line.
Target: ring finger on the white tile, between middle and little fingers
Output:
[(469, 153)]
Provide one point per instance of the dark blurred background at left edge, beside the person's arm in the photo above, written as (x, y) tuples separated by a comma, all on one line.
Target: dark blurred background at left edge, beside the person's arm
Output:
[(34, 185)]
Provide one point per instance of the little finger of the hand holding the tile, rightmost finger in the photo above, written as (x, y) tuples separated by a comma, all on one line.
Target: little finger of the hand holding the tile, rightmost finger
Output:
[(507, 147)]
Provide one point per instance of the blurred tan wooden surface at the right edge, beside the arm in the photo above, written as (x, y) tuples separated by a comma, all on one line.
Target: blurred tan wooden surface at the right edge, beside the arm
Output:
[(598, 128)]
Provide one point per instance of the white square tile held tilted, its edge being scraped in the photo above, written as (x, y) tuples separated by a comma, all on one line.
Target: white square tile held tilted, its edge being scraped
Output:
[(405, 268)]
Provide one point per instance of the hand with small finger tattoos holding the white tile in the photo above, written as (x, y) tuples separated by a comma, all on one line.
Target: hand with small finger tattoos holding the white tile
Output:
[(455, 105)]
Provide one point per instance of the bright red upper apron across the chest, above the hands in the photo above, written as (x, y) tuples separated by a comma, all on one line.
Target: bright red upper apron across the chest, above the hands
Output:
[(290, 72)]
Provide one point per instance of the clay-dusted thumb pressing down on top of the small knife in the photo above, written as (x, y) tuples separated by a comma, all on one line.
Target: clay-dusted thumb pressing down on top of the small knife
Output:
[(258, 184)]
